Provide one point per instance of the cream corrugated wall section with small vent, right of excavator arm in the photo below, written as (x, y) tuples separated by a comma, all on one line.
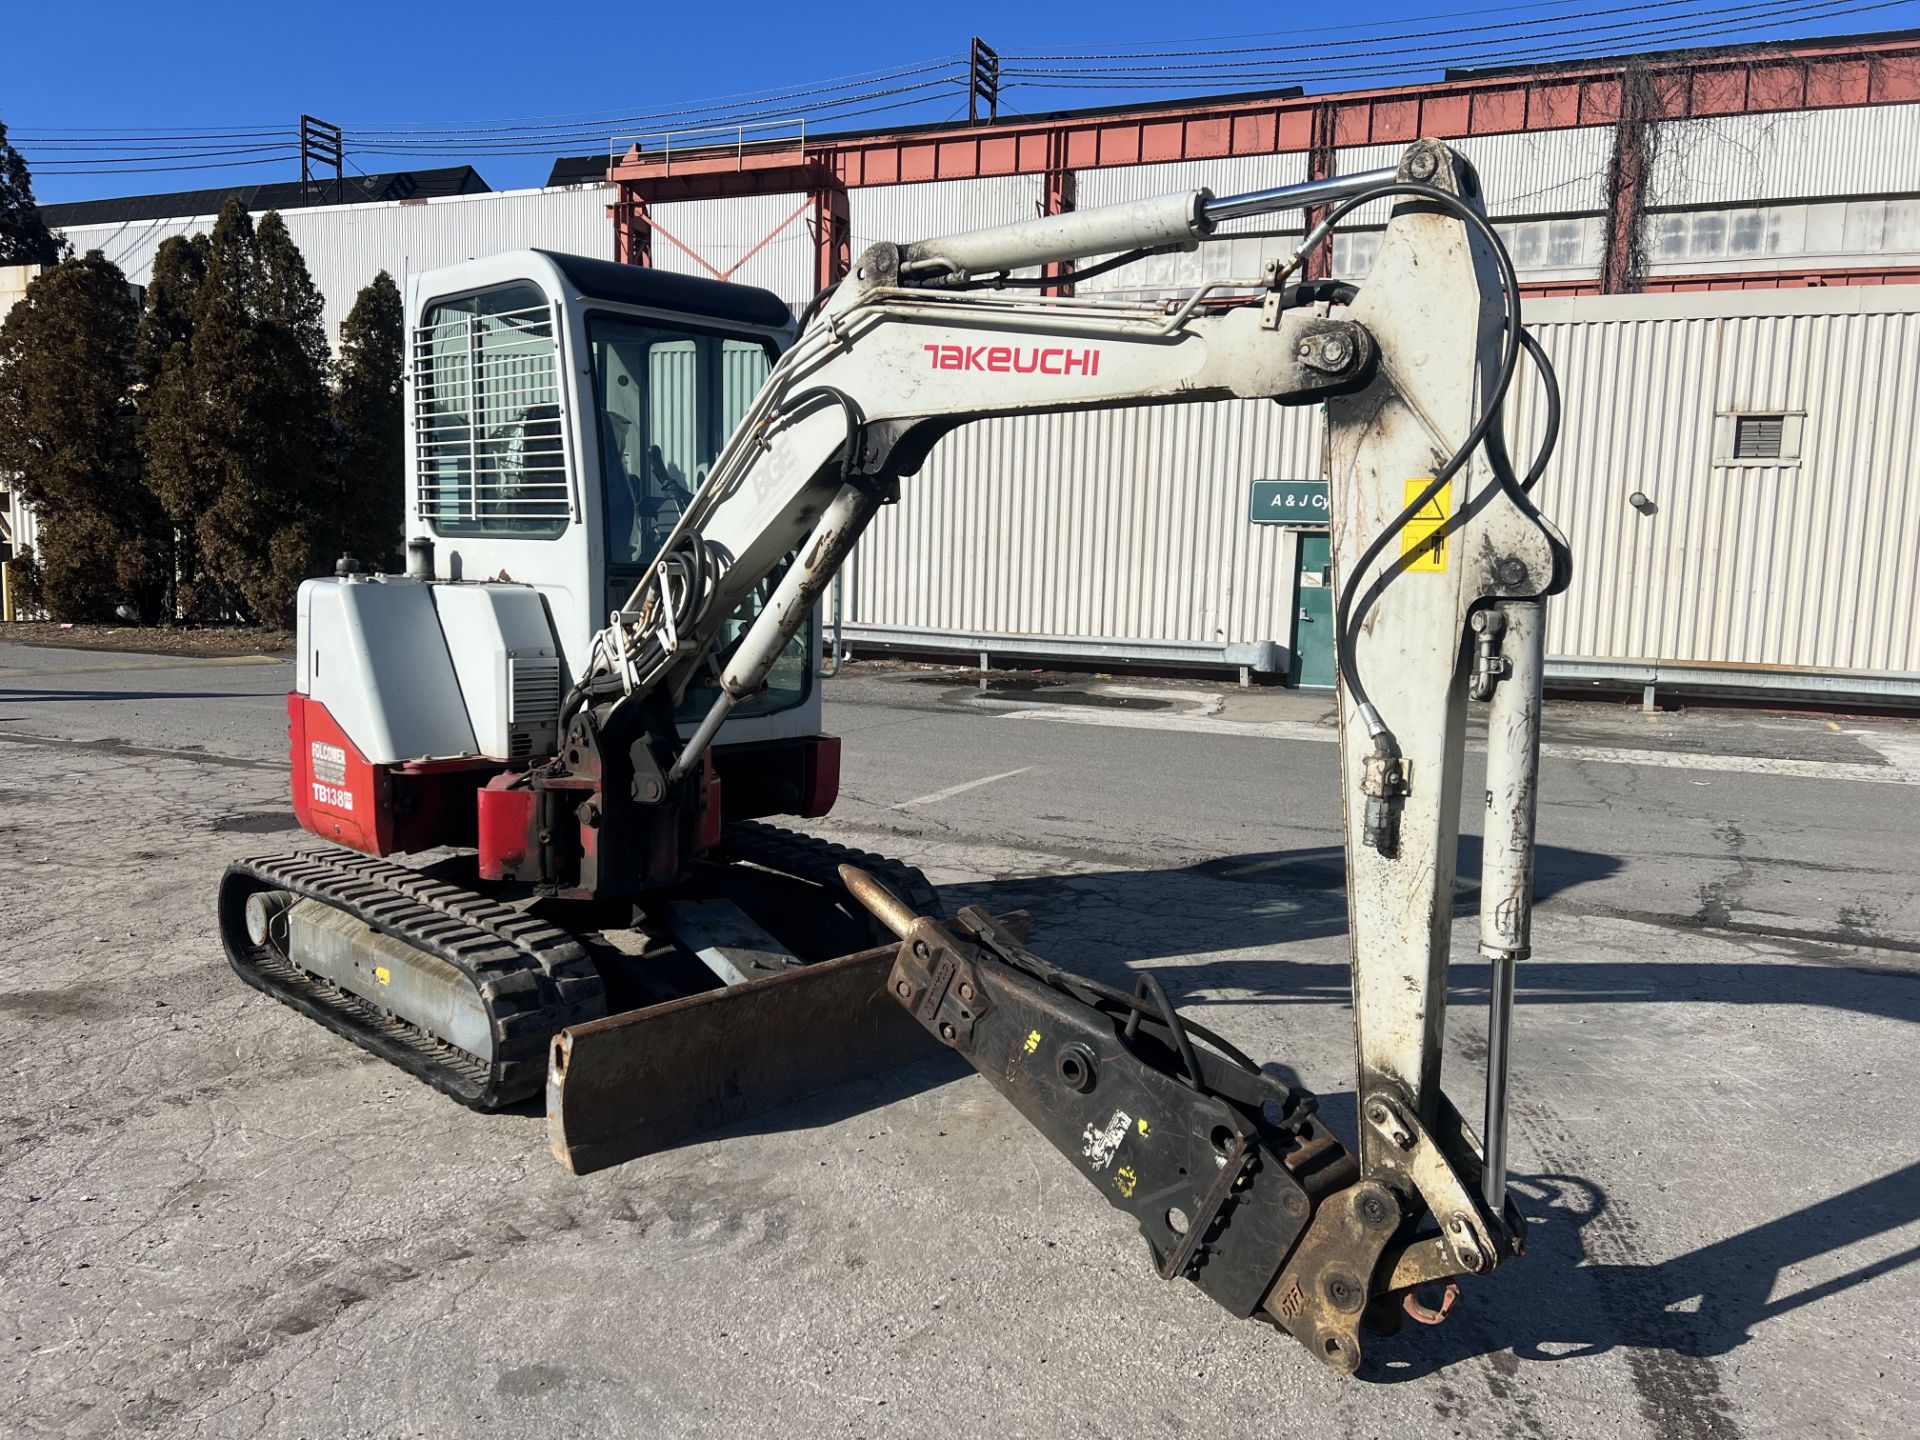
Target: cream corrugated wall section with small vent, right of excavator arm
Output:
[(1798, 560)]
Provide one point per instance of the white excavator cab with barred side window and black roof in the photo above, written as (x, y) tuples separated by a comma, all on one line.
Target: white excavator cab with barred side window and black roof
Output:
[(562, 416)]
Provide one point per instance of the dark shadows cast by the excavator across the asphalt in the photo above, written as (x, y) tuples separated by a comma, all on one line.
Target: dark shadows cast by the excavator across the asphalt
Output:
[(1572, 1295)]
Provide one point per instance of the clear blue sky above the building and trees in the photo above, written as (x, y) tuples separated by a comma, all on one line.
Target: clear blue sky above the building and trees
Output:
[(95, 84)]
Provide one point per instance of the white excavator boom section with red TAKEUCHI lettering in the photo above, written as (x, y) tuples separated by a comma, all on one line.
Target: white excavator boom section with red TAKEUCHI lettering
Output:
[(876, 381)]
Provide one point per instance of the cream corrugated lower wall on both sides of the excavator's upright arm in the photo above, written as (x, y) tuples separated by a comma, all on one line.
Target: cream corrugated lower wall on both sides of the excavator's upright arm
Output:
[(1134, 525)]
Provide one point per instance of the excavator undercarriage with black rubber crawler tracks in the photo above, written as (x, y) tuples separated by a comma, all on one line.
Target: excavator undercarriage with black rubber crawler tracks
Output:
[(468, 992)]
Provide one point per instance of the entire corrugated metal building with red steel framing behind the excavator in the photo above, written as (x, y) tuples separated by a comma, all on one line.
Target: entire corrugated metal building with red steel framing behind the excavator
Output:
[(1704, 237)]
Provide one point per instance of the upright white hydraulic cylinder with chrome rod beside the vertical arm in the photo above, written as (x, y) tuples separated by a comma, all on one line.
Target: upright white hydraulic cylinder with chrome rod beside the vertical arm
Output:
[(1508, 861)]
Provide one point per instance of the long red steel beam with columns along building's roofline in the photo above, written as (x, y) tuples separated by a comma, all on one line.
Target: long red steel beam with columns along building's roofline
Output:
[(1812, 76)]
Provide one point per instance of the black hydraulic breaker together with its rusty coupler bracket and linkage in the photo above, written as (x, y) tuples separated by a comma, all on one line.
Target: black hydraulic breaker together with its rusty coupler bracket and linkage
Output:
[(1230, 1174)]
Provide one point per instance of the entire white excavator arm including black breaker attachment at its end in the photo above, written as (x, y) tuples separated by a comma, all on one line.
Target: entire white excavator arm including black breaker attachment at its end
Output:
[(1441, 575)]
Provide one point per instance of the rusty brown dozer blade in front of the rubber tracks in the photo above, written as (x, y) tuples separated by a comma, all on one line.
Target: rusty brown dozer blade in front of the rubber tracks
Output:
[(648, 1080)]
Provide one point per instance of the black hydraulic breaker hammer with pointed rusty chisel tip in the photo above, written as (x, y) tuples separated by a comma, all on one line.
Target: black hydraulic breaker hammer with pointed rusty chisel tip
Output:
[(1222, 1166)]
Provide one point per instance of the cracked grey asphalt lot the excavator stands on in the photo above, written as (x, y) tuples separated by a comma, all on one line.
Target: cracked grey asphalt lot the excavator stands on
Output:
[(222, 1220)]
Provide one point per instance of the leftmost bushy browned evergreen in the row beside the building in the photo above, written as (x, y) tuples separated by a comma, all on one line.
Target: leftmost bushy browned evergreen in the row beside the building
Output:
[(68, 431)]
